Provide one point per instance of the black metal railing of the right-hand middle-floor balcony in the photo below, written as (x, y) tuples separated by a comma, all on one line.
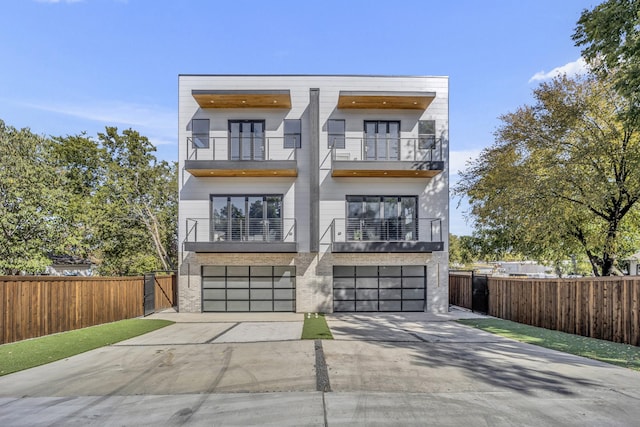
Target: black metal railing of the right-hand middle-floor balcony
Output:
[(386, 230)]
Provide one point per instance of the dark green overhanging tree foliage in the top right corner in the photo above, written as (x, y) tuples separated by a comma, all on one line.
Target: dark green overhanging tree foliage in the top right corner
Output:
[(610, 36)]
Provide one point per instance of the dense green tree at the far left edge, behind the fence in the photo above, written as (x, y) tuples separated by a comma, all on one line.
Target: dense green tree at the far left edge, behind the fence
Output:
[(31, 202)]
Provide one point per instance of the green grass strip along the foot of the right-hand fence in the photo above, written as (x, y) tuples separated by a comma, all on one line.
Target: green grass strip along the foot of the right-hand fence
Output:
[(624, 355)]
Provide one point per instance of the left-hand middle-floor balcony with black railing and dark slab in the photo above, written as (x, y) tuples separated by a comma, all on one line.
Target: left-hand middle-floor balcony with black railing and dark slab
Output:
[(241, 235)]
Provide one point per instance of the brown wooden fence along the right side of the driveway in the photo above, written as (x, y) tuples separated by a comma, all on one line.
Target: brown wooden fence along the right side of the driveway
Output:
[(607, 308)]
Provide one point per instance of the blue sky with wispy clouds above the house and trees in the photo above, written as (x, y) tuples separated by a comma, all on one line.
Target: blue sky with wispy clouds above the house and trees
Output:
[(80, 65)]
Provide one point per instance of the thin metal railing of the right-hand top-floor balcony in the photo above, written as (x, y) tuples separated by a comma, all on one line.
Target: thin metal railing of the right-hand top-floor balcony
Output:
[(421, 149)]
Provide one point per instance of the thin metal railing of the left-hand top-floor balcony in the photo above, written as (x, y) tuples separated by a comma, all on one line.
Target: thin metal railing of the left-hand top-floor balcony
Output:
[(255, 148)]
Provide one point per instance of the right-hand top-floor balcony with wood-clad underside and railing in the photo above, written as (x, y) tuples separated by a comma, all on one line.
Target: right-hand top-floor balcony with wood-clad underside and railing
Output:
[(387, 157)]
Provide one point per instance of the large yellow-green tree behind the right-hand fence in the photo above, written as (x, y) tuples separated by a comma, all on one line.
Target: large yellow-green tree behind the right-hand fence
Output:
[(562, 177)]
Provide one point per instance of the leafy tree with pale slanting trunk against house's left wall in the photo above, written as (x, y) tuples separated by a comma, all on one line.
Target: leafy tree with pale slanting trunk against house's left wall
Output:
[(137, 206)]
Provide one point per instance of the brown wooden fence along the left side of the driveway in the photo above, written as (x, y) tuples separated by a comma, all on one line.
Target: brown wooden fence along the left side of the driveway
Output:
[(33, 306)]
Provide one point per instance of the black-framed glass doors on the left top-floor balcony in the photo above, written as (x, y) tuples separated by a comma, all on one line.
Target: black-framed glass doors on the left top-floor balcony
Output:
[(246, 140)]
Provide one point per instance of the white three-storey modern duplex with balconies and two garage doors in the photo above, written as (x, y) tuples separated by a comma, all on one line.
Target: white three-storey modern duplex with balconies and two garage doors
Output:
[(313, 193)]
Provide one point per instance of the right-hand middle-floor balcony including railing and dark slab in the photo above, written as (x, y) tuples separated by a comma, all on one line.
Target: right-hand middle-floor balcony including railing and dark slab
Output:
[(386, 235)]
